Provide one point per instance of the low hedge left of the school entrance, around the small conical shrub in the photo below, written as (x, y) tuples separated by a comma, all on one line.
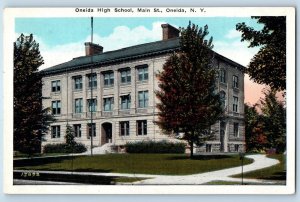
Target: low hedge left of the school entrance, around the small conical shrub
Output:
[(64, 148)]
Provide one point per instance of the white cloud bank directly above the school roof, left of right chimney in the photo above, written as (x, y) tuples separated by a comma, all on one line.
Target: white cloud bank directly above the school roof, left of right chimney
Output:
[(121, 37)]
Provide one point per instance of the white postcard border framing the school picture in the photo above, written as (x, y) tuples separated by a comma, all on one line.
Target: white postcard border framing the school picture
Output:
[(11, 13)]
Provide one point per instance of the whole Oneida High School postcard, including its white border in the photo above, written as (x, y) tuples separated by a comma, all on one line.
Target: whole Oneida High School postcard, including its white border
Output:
[(149, 100)]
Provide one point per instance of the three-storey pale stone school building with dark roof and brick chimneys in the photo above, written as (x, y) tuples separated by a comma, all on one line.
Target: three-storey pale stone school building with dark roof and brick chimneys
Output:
[(120, 95)]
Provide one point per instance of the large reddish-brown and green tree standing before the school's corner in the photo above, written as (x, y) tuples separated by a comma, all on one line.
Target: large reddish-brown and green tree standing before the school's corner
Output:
[(189, 102)]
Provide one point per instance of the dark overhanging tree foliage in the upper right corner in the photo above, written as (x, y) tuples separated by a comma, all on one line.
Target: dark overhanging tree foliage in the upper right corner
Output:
[(268, 66)]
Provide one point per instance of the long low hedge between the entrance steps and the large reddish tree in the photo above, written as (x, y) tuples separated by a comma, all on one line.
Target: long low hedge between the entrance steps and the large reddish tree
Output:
[(155, 147)]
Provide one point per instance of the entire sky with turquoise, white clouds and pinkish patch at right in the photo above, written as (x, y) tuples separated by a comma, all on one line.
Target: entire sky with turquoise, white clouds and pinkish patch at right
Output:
[(62, 39)]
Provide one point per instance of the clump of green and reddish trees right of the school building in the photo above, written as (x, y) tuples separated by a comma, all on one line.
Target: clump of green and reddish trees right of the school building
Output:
[(267, 129)]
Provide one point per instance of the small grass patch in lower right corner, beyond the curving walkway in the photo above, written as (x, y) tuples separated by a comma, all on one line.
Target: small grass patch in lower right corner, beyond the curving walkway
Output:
[(276, 172)]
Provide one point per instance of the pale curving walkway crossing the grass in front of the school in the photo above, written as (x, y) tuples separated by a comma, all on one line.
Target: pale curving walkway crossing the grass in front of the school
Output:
[(260, 161)]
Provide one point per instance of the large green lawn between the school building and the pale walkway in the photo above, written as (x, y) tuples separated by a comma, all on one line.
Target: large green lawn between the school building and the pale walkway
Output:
[(168, 164)]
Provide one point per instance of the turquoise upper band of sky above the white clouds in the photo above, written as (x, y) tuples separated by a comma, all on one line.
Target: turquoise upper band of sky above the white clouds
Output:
[(57, 31)]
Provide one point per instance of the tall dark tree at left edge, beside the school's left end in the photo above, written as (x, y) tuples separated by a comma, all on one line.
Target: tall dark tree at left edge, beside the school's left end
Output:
[(30, 119)]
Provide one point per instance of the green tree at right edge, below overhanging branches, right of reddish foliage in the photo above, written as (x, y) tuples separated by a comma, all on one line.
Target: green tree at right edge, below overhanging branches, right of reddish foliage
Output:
[(274, 115)]
